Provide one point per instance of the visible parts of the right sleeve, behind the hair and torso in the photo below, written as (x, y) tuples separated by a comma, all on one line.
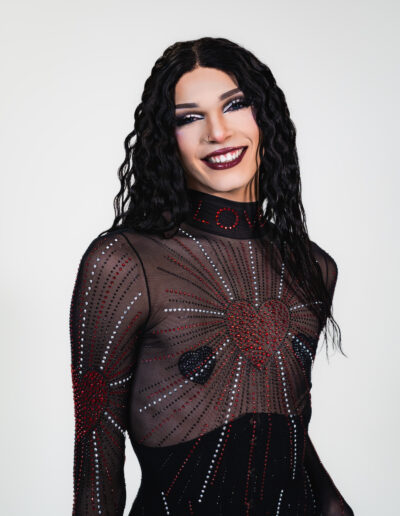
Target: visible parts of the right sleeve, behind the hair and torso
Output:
[(332, 502)]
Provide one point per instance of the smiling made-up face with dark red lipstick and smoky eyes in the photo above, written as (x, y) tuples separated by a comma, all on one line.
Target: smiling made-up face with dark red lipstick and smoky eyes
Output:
[(211, 115)]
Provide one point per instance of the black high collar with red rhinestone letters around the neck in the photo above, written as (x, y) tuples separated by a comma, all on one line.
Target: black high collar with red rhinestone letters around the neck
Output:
[(225, 217)]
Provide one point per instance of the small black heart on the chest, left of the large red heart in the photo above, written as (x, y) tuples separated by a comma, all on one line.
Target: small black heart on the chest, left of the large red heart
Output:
[(197, 365)]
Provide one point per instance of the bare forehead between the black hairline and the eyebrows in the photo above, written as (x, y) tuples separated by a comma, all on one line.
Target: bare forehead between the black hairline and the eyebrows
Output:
[(202, 84)]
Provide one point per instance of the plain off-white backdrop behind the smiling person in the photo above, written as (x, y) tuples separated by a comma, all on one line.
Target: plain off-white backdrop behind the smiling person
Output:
[(72, 74)]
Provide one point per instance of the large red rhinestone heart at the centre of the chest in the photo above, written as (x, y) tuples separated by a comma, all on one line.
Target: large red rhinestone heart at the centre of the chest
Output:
[(258, 334)]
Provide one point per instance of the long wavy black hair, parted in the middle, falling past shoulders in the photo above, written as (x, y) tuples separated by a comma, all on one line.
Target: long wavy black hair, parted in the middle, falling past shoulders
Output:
[(153, 197)]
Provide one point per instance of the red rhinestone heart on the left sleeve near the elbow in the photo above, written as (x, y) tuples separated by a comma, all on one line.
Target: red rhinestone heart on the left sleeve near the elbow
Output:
[(90, 398)]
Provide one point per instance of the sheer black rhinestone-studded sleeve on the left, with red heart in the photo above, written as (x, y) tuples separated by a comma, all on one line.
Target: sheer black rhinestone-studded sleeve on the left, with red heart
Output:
[(109, 309)]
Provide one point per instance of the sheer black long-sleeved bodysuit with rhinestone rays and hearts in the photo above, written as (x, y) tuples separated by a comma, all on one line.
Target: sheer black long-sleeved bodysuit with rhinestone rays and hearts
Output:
[(199, 348)]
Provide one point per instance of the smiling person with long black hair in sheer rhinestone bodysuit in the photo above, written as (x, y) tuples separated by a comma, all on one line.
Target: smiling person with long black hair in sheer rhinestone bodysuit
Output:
[(195, 318)]
